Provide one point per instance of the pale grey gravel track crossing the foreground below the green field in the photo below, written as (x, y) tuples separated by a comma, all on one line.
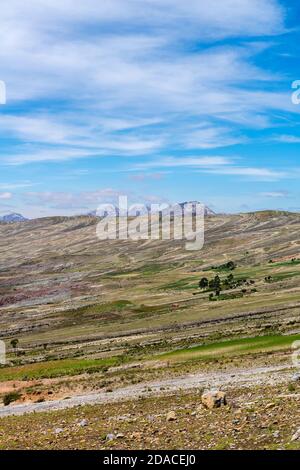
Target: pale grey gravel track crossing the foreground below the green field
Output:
[(242, 377)]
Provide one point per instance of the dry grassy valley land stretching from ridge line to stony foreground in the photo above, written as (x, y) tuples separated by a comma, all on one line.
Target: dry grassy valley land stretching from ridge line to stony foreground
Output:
[(112, 325)]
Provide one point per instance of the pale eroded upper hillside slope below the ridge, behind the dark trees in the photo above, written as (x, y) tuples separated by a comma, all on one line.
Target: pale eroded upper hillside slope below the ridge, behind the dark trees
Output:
[(52, 267)]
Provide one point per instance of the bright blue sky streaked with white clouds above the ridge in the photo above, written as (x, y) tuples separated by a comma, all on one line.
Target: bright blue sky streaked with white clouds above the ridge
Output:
[(162, 100)]
